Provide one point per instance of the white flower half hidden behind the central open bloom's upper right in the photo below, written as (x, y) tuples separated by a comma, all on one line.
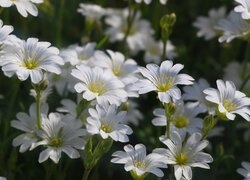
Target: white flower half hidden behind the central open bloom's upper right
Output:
[(123, 69)]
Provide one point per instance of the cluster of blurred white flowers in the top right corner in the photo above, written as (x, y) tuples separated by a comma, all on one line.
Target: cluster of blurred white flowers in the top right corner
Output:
[(234, 26)]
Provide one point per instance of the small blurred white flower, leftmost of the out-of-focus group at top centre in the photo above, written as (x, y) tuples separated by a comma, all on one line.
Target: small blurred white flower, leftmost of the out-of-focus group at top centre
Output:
[(92, 12)]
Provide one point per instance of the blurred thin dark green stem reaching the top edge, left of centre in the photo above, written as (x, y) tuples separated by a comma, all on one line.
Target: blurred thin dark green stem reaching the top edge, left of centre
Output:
[(59, 24)]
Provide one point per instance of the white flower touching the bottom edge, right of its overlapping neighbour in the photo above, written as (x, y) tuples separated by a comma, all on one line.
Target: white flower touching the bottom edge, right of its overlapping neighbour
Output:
[(183, 157)]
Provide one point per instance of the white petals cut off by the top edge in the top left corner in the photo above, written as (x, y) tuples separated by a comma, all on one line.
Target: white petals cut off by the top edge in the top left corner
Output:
[(23, 6)]
